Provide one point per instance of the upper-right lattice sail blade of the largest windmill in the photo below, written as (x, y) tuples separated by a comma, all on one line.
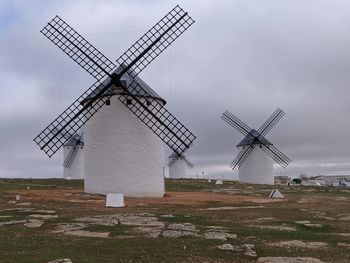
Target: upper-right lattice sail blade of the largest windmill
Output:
[(156, 40)]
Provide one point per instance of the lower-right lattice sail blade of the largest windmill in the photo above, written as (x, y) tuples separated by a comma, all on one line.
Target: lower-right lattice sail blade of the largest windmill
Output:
[(166, 126)]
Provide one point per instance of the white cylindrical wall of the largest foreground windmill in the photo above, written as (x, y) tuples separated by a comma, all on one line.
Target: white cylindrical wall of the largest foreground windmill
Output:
[(122, 155)]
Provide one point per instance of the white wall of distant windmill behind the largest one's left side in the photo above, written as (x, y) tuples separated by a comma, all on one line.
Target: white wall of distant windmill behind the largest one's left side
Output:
[(76, 170)]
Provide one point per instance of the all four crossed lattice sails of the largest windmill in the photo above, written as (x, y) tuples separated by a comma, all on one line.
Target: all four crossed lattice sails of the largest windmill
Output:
[(136, 58)]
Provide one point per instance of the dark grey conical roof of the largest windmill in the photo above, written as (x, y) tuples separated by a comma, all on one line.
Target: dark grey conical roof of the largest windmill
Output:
[(126, 80)]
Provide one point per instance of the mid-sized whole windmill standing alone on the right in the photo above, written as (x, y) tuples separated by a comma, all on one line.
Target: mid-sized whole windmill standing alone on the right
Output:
[(254, 160)]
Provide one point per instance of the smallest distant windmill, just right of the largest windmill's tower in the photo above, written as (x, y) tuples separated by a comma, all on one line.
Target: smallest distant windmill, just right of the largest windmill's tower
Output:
[(177, 165)]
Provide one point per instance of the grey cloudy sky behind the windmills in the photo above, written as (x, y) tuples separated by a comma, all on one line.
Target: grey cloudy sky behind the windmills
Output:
[(246, 56)]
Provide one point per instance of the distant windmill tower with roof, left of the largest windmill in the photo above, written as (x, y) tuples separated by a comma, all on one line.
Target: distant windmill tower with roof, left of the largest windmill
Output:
[(73, 157)]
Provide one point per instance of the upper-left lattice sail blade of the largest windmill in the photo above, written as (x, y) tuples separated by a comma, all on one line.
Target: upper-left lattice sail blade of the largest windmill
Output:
[(78, 48)]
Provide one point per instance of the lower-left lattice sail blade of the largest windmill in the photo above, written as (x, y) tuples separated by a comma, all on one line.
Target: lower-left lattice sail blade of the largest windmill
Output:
[(72, 119)]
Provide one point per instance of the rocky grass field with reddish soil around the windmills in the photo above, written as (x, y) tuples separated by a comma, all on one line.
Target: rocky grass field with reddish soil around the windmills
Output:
[(54, 219)]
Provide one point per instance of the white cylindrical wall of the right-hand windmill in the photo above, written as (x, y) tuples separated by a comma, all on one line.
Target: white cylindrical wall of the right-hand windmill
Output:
[(257, 168)]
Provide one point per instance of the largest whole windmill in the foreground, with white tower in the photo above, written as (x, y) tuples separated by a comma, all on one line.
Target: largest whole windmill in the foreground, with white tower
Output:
[(123, 141)]
